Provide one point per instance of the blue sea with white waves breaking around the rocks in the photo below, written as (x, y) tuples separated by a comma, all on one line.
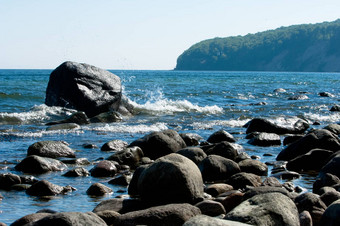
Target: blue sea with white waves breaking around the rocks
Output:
[(200, 102)]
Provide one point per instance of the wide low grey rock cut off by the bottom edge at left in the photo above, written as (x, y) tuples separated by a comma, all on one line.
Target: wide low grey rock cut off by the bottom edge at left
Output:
[(70, 219)]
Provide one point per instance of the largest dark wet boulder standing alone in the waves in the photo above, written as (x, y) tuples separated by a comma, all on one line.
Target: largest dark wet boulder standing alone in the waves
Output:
[(84, 87)]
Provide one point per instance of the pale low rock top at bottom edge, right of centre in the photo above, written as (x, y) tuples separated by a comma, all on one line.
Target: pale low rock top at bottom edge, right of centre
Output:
[(204, 220)]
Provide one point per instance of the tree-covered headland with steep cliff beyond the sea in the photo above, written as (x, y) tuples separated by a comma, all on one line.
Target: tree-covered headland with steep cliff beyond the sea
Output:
[(308, 47)]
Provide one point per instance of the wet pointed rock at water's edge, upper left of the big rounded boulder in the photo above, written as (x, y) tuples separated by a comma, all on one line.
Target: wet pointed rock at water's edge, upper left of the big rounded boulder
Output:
[(130, 156)]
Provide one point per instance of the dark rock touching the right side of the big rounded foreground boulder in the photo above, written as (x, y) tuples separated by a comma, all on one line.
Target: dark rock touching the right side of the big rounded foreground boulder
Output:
[(216, 168)]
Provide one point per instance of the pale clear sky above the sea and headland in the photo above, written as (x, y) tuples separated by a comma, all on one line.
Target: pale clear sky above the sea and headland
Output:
[(136, 34)]
